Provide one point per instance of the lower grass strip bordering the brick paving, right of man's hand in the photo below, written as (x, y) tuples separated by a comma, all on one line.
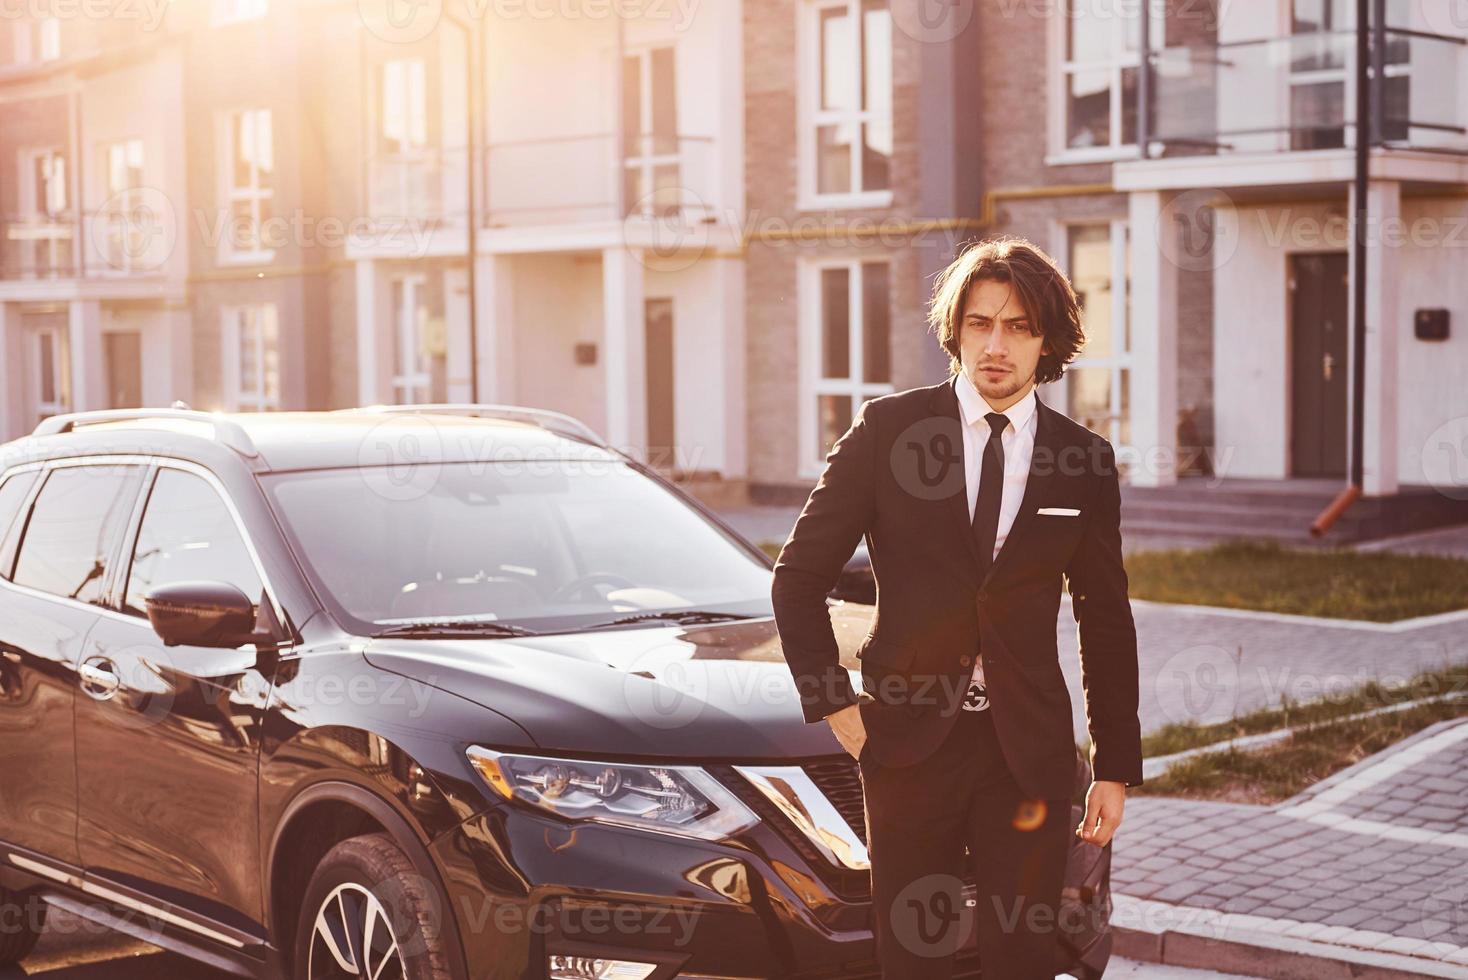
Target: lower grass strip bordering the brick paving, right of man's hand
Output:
[(1322, 747)]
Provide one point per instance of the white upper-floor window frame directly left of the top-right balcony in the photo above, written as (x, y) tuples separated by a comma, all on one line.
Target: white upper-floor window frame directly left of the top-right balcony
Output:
[(1062, 70)]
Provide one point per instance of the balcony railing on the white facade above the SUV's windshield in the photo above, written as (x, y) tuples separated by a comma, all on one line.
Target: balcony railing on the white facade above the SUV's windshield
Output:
[(585, 180)]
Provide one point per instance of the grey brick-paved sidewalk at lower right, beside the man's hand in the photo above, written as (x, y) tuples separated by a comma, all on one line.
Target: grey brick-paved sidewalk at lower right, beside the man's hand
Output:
[(1369, 866)]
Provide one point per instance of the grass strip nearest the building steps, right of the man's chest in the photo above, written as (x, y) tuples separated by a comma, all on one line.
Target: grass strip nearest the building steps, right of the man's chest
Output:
[(1337, 583)]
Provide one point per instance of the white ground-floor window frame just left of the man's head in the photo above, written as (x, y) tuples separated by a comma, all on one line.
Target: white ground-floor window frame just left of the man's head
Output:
[(813, 387)]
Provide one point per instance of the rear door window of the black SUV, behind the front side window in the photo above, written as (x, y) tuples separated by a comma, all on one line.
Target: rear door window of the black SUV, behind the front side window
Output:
[(74, 529)]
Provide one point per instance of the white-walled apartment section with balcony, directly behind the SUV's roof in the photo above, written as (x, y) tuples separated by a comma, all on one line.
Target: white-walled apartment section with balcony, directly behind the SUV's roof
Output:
[(608, 191)]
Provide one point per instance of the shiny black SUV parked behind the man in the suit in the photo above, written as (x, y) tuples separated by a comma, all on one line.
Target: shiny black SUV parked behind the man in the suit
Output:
[(448, 692)]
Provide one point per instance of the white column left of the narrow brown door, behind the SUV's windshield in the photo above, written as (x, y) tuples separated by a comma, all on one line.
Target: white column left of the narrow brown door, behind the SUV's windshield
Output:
[(625, 351)]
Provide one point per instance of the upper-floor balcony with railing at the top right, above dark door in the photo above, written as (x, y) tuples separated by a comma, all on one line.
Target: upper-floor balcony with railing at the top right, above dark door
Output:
[(1251, 100)]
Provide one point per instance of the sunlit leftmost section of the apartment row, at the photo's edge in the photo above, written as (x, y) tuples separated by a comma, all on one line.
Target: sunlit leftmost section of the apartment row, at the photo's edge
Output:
[(93, 294)]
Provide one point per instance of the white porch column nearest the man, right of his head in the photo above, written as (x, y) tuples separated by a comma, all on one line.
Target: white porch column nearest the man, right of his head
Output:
[(1155, 341)]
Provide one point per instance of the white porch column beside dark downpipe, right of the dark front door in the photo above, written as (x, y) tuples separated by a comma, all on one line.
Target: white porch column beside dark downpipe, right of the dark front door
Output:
[(1385, 325)]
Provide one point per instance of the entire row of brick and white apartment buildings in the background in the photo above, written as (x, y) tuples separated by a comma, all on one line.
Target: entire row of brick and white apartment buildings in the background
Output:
[(710, 231)]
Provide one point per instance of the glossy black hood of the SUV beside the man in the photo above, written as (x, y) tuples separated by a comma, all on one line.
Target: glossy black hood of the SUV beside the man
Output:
[(700, 693)]
